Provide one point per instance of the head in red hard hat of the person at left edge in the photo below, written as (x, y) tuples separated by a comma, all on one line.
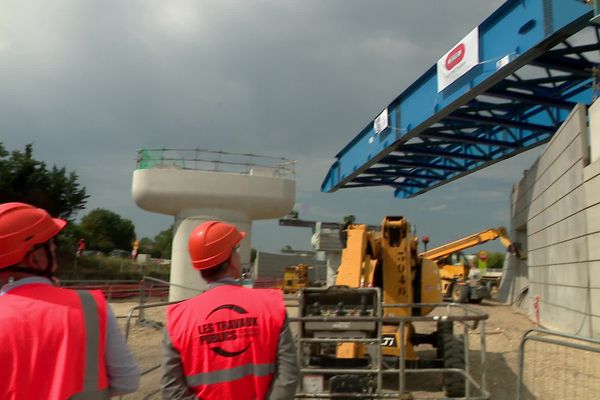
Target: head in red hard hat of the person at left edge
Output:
[(26, 234)]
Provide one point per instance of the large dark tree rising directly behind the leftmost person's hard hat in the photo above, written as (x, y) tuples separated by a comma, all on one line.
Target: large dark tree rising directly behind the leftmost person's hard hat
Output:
[(24, 179)]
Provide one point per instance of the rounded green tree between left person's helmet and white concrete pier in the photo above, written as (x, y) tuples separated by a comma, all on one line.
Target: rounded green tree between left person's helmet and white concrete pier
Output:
[(106, 230)]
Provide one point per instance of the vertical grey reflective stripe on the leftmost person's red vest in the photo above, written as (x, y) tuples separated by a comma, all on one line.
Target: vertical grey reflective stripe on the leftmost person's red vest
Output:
[(90, 374)]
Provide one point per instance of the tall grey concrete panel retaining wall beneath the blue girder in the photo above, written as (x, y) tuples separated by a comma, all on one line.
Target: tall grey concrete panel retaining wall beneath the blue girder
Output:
[(555, 215)]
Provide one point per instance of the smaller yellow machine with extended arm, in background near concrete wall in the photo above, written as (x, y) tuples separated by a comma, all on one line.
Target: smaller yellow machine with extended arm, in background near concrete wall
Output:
[(459, 282)]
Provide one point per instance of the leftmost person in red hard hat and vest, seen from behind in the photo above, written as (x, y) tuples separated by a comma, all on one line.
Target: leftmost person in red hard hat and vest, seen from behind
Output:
[(57, 343)]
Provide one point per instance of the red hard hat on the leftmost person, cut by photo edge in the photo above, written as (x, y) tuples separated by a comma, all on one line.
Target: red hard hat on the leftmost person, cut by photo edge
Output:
[(22, 226)]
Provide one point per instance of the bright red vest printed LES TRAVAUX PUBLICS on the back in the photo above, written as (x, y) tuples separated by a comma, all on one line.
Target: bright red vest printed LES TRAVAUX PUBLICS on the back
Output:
[(227, 339)]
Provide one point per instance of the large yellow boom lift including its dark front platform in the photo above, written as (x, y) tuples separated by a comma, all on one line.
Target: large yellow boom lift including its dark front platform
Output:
[(386, 261)]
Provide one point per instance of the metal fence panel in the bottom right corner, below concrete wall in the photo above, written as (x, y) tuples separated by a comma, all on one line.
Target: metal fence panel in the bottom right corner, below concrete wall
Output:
[(558, 366)]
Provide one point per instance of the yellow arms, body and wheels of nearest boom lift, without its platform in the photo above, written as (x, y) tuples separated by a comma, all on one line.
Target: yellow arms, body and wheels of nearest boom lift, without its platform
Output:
[(389, 259)]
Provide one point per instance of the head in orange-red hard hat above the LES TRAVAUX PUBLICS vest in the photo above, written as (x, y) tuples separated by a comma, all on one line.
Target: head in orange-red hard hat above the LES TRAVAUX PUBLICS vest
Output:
[(213, 249)]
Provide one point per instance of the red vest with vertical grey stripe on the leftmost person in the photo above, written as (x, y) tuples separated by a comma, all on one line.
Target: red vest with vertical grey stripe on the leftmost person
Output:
[(52, 344)]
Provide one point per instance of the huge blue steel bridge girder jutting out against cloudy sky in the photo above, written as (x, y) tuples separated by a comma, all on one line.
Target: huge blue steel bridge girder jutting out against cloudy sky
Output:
[(492, 113)]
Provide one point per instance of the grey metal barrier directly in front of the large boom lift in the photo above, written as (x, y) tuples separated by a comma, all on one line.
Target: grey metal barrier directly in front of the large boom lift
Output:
[(399, 381)]
